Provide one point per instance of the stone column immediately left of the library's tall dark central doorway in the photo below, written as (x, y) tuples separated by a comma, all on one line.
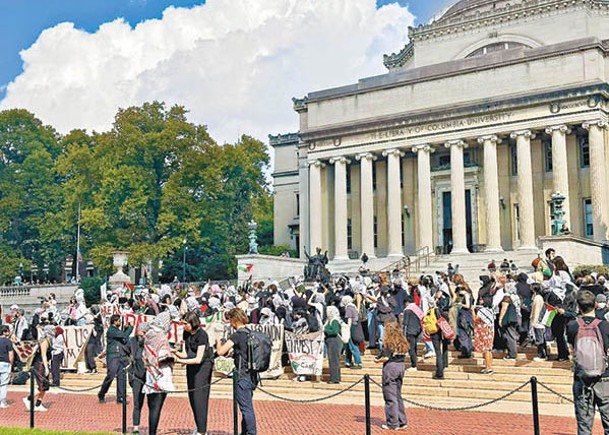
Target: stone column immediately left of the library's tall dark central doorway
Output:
[(424, 212)]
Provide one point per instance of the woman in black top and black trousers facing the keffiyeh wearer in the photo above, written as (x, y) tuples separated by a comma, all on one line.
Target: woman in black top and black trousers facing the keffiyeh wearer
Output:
[(197, 357)]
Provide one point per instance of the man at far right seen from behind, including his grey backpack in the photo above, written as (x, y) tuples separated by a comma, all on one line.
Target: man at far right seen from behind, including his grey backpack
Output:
[(590, 340)]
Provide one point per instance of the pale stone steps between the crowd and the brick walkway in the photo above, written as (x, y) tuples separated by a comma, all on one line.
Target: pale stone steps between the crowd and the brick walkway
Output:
[(463, 384)]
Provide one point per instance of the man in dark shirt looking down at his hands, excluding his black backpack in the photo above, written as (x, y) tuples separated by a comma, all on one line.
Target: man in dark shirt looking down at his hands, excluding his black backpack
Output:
[(246, 380)]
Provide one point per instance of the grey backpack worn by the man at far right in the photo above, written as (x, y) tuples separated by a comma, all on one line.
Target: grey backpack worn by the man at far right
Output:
[(590, 355)]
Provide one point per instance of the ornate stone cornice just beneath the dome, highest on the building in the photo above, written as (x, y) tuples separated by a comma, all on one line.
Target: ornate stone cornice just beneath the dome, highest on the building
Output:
[(463, 22)]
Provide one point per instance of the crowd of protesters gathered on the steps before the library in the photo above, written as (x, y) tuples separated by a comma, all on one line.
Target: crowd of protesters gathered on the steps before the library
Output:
[(385, 311)]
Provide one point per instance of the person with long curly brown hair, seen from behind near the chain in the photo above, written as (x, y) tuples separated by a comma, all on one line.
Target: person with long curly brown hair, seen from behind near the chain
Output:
[(394, 350)]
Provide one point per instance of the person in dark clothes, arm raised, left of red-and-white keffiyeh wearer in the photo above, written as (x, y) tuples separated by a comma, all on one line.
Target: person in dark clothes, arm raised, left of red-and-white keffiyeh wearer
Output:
[(116, 359)]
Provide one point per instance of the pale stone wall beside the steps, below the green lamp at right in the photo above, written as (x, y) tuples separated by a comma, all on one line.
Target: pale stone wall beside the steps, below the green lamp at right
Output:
[(577, 250)]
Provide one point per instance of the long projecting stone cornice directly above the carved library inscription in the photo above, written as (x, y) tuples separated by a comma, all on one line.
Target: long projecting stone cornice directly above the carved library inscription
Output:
[(599, 90)]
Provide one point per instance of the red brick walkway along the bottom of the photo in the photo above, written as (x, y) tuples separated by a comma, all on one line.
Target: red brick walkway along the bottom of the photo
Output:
[(84, 413)]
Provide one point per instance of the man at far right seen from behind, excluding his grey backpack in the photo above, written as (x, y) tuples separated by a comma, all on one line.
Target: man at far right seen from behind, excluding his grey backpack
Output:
[(589, 393)]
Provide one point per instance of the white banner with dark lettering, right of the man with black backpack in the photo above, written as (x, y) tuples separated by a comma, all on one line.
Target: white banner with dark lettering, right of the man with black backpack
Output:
[(306, 352)]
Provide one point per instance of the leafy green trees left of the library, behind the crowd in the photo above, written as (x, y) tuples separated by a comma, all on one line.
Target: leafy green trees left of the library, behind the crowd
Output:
[(155, 185)]
